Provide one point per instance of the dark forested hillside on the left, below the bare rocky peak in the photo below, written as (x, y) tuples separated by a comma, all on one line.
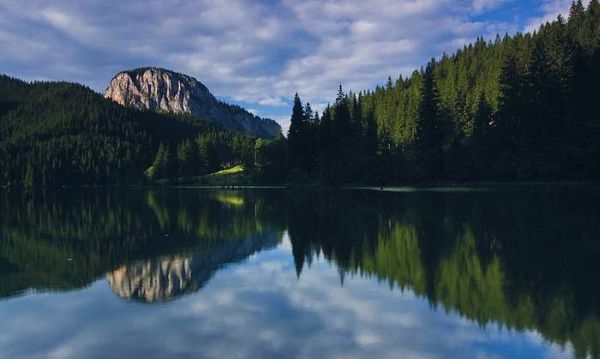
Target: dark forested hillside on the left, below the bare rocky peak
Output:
[(60, 133)]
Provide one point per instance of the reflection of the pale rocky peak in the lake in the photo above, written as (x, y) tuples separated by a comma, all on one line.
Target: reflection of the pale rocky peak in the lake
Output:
[(166, 278)]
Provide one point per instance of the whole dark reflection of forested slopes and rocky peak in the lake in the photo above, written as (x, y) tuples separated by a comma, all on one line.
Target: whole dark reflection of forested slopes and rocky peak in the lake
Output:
[(524, 258)]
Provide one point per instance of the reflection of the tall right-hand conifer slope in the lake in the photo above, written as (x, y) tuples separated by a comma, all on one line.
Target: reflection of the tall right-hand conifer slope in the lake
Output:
[(524, 259)]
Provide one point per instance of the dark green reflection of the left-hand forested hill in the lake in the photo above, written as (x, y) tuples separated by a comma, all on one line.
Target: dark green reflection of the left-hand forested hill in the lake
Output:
[(67, 240)]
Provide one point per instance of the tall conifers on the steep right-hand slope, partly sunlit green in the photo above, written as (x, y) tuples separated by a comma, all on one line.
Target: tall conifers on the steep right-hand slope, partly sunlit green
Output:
[(522, 107)]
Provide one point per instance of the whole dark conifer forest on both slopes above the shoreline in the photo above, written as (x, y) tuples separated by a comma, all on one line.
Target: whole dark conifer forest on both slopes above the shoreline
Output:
[(518, 108)]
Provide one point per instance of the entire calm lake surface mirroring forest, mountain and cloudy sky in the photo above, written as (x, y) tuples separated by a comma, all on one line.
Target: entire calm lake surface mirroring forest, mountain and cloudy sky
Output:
[(509, 272)]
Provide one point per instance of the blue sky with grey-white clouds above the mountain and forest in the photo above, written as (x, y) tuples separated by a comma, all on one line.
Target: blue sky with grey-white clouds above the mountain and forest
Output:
[(256, 54)]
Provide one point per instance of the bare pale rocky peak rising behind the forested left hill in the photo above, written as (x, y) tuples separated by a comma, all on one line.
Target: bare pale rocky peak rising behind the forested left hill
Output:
[(163, 90)]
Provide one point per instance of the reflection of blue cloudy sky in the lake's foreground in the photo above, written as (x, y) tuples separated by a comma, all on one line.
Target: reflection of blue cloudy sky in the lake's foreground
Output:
[(258, 309)]
